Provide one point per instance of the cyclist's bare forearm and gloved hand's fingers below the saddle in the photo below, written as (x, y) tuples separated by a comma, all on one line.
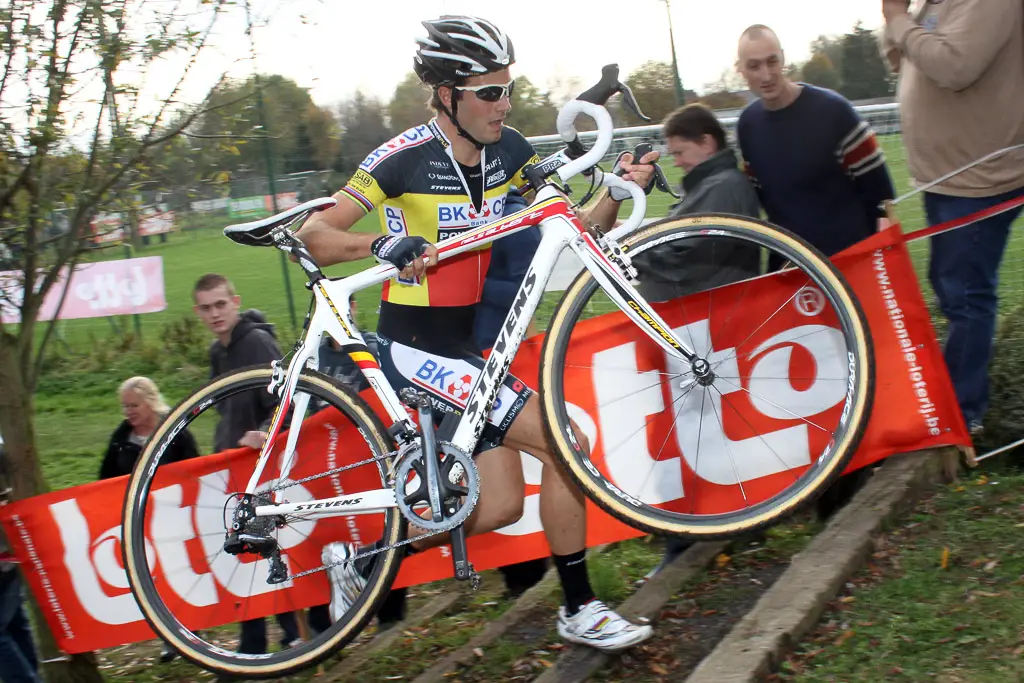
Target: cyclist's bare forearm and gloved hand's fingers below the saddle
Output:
[(329, 238)]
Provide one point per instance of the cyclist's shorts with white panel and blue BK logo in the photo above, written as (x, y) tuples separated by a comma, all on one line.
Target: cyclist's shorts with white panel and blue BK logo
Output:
[(448, 380)]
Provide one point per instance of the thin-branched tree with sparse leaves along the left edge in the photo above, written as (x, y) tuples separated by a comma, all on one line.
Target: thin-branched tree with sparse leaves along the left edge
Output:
[(81, 115)]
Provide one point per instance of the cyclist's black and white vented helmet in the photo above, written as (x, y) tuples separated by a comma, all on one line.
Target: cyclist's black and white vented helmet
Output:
[(459, 48)]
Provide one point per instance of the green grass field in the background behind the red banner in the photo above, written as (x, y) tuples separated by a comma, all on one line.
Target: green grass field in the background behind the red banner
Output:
[(77, 403)]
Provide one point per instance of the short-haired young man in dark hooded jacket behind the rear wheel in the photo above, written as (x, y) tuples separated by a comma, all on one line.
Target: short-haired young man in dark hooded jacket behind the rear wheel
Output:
[(242, 339)]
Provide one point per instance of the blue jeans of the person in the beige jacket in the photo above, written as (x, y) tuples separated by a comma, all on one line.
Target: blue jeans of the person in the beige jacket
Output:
[(964, 272)]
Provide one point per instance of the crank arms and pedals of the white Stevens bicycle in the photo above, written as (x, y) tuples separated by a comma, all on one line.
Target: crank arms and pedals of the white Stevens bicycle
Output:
[(439, 488)]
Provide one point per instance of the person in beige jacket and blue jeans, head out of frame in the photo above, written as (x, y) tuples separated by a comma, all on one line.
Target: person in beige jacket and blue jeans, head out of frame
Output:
[(961, 66)]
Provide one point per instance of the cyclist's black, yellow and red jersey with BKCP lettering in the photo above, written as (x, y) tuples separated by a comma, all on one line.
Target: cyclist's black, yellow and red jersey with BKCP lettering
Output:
[(419, 190)]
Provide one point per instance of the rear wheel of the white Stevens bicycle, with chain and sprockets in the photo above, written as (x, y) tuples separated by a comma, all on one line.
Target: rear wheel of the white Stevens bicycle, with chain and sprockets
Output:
[(195, 588)]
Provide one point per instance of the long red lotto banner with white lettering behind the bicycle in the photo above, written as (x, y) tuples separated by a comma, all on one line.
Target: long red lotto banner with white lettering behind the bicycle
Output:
[(70, 540)]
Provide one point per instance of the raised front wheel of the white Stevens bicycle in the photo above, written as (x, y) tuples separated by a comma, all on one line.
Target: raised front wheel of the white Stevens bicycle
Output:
[(679, 451)]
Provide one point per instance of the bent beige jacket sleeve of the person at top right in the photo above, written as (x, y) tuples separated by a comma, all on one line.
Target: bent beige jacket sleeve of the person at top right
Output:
[(971, 33)]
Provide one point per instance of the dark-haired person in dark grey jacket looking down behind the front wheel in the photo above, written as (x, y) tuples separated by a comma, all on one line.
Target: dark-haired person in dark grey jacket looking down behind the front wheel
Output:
[(712, 184)]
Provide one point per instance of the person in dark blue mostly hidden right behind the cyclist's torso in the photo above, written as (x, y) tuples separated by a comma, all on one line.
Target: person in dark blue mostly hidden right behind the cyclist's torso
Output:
[(510, 259)]
